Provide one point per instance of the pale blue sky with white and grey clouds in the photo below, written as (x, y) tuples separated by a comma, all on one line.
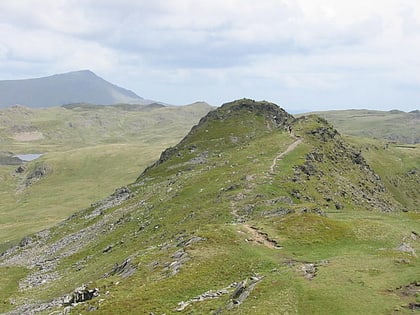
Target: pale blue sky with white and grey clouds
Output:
[(303, 55)]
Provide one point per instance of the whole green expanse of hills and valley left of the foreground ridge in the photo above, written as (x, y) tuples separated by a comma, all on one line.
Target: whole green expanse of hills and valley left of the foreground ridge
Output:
[(88, 151)]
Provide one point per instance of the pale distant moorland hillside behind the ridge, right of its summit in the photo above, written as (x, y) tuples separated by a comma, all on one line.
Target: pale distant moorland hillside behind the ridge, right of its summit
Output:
[(394, 125)]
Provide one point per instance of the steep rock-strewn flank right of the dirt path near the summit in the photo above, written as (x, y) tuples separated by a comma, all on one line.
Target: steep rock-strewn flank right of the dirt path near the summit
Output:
[(339, 172)]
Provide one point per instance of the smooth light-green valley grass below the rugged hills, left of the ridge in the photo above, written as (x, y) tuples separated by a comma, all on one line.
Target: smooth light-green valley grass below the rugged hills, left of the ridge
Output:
[(78, 178)]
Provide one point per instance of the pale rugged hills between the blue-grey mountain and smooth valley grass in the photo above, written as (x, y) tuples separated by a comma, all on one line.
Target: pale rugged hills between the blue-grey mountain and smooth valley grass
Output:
[(79, 125)]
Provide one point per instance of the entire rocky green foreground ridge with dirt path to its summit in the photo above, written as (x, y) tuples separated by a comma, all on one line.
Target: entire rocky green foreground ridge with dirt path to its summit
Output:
[(253, 212)]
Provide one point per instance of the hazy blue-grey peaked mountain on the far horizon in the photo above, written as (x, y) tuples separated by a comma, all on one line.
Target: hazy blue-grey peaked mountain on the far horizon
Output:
[(67, 88)]
